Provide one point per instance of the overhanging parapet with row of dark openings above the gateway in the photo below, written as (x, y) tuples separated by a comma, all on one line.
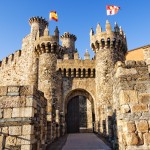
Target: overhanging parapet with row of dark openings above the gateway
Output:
[(76, 68)]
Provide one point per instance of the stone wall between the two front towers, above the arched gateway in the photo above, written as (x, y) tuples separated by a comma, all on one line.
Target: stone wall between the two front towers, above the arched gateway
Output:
[(72, 80)]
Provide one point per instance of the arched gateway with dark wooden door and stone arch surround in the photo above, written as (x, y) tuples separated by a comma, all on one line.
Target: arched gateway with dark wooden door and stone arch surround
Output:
[(79, 111)]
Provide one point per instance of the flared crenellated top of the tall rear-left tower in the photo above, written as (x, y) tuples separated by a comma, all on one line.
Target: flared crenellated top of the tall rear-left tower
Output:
[(38, 24)]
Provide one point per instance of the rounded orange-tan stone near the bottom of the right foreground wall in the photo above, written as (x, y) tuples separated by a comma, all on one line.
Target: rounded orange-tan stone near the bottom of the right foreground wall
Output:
[(132, 139)]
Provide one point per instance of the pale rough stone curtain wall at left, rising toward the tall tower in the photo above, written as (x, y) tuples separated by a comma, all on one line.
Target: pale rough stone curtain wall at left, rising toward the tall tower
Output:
[(19, 68)]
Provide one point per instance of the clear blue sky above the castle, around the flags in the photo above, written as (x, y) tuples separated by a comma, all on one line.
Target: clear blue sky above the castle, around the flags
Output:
[(76, 17)]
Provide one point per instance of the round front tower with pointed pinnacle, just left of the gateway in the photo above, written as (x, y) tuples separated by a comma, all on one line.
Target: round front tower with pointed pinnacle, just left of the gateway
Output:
[(46, 47)]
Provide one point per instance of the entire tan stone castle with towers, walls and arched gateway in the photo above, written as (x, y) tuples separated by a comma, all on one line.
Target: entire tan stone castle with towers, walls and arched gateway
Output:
[(46, 91)]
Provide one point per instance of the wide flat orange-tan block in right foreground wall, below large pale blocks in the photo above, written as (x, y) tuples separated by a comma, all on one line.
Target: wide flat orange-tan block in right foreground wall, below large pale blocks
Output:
[(139, 108)]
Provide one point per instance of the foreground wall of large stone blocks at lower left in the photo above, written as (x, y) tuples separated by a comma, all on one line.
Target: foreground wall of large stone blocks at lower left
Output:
[(23, 124)]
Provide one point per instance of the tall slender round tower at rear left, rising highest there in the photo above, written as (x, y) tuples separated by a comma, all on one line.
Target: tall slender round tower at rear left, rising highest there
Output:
[(38, 25)]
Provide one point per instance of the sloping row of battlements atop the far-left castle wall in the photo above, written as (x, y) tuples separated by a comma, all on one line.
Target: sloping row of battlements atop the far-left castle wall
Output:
[(10, 58)]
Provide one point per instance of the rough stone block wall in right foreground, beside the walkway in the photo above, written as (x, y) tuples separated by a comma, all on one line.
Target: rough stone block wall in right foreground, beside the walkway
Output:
[(132, 105)]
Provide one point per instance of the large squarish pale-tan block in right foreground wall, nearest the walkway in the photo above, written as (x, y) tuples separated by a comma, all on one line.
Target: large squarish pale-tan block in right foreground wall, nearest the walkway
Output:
[(128, 96)]
